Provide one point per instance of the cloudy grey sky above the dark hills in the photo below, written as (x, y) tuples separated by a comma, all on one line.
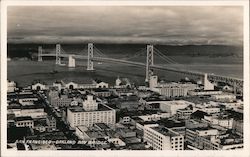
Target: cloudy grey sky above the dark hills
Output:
[(173, 25)]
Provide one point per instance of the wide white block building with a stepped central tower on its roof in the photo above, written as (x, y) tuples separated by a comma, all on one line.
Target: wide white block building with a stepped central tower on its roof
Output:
[(90, 113)]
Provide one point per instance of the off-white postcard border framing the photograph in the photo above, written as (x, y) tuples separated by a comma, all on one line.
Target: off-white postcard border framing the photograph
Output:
[(5, 152)]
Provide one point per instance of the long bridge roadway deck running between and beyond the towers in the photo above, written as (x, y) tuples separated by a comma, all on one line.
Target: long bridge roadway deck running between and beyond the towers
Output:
[(236, 82)]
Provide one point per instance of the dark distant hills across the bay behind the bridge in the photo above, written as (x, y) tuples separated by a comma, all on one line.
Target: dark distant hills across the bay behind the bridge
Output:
[(29, 50)]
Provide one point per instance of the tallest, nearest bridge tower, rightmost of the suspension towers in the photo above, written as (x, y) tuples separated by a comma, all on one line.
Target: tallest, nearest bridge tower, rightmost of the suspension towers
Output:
[(149, 61)]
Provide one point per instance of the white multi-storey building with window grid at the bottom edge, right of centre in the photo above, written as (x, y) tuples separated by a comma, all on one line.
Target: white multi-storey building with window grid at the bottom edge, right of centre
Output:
[(161, 138)]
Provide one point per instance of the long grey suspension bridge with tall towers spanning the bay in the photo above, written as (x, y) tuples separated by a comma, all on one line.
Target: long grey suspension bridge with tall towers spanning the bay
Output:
[(150, 51)]
